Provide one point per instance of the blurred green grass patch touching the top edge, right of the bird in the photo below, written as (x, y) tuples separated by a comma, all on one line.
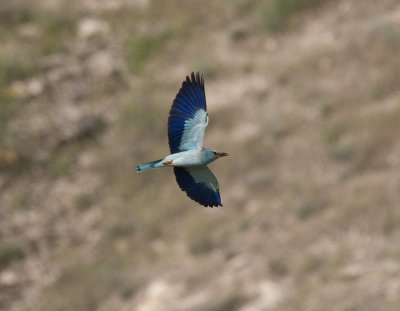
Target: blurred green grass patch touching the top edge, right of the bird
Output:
[(274, 15)]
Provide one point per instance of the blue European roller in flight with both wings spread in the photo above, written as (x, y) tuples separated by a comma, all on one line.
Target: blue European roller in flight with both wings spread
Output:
[(187, 122)]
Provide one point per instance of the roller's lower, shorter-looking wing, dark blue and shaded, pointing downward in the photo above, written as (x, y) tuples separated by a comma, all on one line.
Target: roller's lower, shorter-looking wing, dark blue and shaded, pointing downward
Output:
[(199, 183)]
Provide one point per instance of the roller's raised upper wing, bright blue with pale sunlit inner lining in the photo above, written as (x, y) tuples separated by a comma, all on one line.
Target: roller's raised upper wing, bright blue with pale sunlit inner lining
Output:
[(188, 117)]
